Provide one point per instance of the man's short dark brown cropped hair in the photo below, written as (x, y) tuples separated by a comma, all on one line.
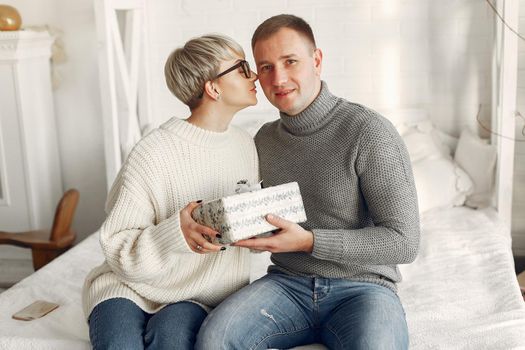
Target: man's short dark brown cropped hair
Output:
[(273, 24)]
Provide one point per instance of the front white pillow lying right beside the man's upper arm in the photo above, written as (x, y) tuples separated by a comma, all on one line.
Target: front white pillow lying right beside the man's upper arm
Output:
[(440, 183)]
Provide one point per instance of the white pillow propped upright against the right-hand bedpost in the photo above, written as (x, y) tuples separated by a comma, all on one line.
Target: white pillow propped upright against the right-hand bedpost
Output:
[(478, 159)]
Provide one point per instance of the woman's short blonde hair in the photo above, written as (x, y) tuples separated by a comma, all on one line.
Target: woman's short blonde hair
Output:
[(189, 67)]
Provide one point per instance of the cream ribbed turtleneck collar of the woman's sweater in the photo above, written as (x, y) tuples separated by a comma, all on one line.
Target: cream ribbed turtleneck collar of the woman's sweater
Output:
[(197, 135)]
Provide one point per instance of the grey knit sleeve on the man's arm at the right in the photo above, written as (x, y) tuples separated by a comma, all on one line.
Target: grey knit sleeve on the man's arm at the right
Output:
[(387, 185)]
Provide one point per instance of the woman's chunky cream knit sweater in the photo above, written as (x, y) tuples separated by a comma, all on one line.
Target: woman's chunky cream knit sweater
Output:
[(147, 258)]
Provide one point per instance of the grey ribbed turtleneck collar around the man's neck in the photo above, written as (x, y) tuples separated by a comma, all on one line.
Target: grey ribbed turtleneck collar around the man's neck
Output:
[(314, 116)]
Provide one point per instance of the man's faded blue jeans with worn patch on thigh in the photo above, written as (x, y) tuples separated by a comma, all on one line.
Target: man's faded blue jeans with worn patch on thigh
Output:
[(281, 311)]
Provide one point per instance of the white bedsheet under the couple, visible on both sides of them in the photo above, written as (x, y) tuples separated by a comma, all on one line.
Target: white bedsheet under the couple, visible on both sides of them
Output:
[(460, 293)]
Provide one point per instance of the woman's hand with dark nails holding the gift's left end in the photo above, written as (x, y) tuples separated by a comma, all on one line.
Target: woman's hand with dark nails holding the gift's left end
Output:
[(198, 236)]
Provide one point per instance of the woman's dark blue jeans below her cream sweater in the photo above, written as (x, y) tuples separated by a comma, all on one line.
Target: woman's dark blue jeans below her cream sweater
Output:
[(120, 324)]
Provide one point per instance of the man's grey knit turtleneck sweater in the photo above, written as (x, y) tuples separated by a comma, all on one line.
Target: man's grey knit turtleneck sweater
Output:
[(355, 177)]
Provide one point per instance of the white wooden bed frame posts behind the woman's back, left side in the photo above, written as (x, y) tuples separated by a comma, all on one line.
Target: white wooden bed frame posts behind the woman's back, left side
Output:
[(123, 63)]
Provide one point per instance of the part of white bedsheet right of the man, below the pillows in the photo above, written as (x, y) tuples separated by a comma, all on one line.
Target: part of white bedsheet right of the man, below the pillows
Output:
[(462, 291)]
